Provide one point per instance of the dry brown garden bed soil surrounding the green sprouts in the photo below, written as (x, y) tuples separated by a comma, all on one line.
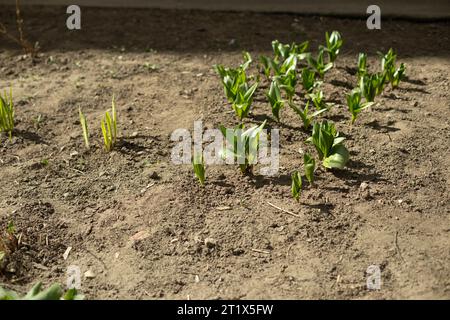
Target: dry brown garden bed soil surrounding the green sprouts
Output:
[(145, 228)]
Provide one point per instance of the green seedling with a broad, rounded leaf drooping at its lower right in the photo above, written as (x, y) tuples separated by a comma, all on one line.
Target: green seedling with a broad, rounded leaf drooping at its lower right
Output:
[(328, 144)]
